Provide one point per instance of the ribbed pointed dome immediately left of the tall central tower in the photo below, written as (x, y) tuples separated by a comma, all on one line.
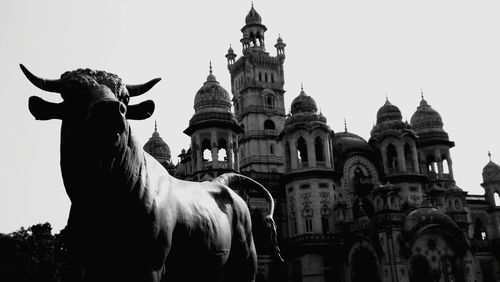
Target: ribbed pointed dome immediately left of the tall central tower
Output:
[(212, 95)]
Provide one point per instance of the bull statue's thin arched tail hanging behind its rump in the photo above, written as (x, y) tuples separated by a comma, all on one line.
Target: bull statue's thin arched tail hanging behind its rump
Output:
[(230, 179)]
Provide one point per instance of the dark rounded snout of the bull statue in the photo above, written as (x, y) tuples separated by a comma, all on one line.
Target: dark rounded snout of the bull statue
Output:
[(107, 118)]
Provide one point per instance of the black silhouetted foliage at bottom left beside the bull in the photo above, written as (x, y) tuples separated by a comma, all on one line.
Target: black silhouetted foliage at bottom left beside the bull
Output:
[(34, 254)]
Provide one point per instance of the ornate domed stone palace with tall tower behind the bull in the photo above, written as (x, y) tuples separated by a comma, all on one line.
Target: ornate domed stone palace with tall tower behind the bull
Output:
[(348, 209)]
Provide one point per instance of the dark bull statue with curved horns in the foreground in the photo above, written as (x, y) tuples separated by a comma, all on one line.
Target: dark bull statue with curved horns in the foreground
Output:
[(129, 219)]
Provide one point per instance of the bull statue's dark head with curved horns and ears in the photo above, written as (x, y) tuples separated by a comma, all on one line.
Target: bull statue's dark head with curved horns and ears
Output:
[(95, 98)]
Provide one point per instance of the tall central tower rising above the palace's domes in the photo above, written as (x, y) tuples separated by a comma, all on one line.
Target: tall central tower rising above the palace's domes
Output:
[(258, 98)]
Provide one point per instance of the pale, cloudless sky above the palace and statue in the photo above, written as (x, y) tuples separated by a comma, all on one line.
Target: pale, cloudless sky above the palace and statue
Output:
[(348, 54)]
